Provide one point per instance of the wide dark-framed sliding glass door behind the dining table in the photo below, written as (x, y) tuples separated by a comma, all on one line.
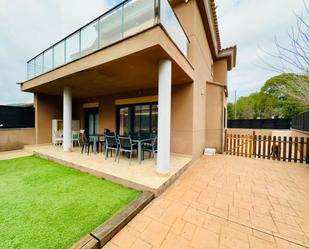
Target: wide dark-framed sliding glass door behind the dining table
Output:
[(137, 118)]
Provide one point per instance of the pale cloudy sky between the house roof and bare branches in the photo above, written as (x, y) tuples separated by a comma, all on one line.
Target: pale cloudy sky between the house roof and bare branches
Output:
[(252, 25)]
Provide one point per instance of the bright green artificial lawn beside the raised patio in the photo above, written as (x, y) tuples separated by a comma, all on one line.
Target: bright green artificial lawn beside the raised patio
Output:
[(46, 205)]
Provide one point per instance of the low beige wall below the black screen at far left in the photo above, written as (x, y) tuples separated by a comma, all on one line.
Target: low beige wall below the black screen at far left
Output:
[(13, 139)]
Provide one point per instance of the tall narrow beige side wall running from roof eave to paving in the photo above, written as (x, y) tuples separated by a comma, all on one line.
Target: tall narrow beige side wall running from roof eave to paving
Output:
[(201, 59)]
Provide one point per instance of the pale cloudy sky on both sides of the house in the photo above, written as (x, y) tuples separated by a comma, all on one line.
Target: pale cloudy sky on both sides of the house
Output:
[(27, 27)]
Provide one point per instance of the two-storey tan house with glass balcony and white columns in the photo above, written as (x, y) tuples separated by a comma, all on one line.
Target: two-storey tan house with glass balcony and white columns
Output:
[(143, 66)]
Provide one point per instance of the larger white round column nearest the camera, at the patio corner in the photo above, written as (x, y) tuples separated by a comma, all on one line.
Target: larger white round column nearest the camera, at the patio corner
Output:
[(164, 116)]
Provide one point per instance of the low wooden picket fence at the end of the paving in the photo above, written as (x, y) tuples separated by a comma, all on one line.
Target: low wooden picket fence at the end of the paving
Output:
[(291, 149)]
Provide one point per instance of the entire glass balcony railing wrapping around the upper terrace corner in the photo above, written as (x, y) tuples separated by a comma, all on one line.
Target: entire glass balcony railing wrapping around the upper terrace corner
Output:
[(126, 19)]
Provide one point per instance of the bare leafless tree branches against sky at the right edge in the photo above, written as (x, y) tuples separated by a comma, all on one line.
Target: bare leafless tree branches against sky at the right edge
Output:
[(293, 59)]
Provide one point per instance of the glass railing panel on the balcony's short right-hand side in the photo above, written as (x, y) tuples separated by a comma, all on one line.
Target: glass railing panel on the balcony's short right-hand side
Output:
[(173, 27)]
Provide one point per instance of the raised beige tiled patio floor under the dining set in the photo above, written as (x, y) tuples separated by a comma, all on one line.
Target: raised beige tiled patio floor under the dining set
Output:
[(139, 176)]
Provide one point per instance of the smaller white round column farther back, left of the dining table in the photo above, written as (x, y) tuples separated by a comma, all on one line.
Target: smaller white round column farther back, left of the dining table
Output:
[(67, 119)]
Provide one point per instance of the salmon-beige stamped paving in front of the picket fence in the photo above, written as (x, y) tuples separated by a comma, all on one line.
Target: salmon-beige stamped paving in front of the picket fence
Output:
[(226, 202)]
